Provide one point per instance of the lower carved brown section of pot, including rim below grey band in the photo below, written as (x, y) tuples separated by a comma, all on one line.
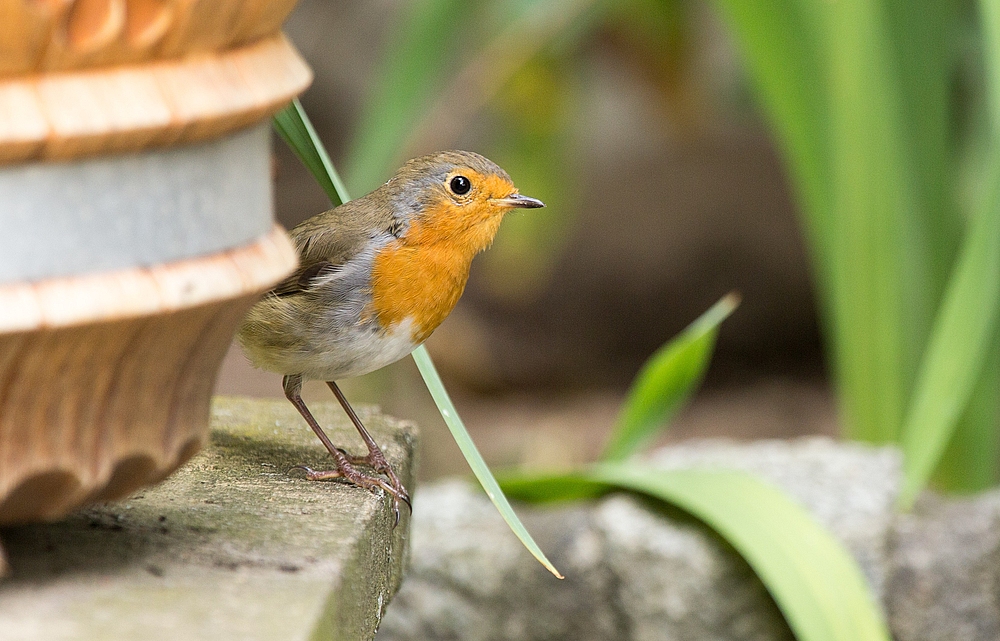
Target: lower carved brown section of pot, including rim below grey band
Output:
[(105, 380)]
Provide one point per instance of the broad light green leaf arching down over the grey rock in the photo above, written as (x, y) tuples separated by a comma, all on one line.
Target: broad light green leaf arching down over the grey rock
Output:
[(812, 578)]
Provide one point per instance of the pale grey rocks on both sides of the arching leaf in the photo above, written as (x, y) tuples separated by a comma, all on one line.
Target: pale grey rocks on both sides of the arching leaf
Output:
[(634, 570)]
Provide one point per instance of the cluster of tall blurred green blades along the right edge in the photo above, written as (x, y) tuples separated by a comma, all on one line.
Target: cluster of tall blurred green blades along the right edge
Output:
[(862, 97)]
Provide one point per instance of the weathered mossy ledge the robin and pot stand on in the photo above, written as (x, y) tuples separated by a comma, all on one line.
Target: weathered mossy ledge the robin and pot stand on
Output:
[(230, 547)]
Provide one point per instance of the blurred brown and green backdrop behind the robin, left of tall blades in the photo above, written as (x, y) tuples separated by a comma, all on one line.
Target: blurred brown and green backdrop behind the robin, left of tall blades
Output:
[(636, 124)]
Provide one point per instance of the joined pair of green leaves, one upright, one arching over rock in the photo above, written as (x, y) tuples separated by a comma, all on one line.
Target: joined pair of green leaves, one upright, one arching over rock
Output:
[(813, 579)]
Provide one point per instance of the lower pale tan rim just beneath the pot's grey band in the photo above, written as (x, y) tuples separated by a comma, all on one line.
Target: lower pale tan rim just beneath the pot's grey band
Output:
[(64, 302)]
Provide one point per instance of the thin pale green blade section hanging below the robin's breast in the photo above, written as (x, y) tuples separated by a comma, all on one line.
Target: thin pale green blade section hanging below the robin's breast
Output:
[(474, 458)]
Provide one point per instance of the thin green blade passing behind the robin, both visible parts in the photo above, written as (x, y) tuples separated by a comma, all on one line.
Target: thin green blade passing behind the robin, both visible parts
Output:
[(294, 126)]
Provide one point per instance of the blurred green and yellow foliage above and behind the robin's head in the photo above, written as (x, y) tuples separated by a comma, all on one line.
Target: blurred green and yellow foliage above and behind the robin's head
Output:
[(516, 65)]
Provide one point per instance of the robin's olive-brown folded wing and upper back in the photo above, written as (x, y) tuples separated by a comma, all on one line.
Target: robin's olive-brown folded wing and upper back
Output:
[(330, 239)]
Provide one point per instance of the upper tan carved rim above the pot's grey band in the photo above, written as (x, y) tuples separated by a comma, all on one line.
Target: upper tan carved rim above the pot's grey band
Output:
[(58, 116)]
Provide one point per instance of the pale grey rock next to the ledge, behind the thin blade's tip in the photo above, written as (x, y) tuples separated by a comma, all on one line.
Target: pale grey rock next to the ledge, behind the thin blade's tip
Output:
[(470, 578)]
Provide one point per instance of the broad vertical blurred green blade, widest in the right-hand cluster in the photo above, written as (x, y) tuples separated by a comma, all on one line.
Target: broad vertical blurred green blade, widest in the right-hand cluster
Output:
[(877, 267)]
